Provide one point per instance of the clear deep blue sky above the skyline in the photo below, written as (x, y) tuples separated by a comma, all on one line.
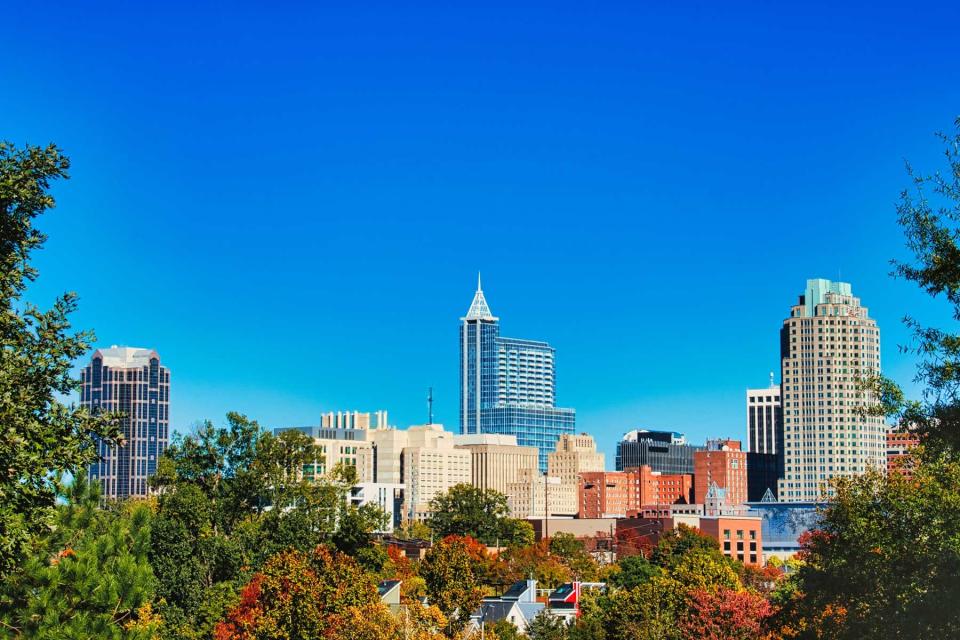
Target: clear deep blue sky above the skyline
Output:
[(292, 203)]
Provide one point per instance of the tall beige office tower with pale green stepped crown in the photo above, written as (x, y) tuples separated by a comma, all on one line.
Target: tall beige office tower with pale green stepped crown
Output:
[(828, 345)]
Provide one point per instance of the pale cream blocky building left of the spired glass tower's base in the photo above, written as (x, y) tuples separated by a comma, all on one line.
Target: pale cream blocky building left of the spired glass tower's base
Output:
[(424, 459)]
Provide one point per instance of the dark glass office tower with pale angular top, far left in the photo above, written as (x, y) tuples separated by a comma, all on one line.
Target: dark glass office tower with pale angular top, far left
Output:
[(133, 383)]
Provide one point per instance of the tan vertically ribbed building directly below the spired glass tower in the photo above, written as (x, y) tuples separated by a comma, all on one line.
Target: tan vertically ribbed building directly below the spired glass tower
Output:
[(496, 460)]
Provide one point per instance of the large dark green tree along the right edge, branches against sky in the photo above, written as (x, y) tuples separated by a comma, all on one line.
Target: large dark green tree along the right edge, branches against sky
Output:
[(885, 559)]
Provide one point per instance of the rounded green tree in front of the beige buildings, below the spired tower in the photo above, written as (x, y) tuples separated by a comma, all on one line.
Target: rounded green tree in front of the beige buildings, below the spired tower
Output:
[(482, 514)]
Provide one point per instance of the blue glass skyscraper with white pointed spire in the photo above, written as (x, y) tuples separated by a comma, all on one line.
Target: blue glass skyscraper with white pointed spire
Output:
[(507, 386)]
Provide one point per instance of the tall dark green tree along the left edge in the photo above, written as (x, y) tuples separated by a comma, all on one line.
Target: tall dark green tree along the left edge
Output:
[(41, 438)]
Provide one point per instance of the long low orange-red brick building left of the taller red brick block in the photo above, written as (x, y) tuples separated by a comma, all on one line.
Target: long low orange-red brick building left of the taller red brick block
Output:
[(615, 493)]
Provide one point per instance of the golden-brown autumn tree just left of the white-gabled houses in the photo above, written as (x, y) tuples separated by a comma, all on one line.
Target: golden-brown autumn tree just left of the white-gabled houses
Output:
[(451, 582)]
